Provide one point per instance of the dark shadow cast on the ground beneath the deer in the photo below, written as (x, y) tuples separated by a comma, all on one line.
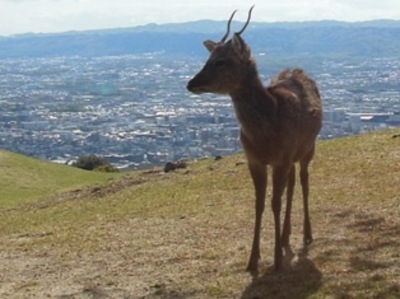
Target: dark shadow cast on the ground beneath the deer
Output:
[(299, 279)]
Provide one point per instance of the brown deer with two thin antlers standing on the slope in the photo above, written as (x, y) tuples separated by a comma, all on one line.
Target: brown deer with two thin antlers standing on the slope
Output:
[(278, 127)]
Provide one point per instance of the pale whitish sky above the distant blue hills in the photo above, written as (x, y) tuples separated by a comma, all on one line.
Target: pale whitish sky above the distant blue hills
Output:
[(45, 16)]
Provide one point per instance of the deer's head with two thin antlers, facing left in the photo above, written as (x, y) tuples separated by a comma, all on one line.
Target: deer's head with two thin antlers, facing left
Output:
[(224, 68)]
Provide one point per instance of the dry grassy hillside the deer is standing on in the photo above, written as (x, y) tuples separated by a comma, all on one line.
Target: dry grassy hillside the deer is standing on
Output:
[(188, 234)]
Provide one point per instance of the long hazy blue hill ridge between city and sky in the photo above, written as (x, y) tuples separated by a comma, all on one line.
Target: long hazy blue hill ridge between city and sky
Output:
[(379, 38)]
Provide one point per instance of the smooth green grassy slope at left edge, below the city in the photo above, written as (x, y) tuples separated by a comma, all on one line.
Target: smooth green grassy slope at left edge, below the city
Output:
[(24, 179)]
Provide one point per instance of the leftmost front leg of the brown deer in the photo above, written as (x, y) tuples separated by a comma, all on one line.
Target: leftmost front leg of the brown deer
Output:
[(258, 173)]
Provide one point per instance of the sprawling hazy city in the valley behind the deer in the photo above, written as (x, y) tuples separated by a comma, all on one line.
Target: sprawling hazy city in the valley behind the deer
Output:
[(135, 110)]
